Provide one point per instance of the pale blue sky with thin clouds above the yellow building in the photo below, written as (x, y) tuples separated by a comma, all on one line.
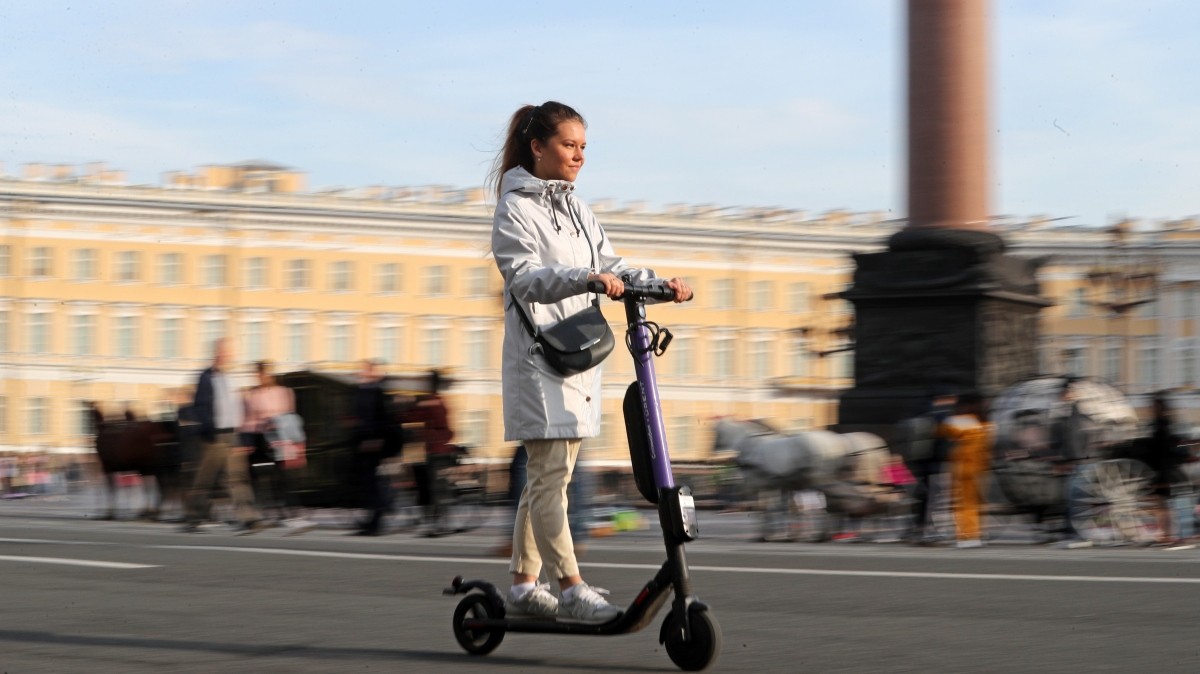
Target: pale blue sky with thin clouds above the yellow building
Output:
[(791, 105)]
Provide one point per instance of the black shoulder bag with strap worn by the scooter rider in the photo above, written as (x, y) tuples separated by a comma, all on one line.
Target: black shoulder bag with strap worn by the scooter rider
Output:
[(579, 342)]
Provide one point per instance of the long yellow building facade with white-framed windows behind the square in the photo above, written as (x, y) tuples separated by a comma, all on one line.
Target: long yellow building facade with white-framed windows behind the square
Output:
[(116, 293)]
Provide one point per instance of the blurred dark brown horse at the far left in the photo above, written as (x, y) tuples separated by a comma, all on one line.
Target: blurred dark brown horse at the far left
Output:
[(147, 448)]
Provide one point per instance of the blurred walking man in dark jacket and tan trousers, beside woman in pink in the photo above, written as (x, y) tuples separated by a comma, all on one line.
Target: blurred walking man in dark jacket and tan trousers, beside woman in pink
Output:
[(219, 413)]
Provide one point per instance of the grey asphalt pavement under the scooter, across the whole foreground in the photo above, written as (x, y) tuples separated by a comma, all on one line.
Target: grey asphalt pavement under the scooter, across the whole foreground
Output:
[(127, 597)]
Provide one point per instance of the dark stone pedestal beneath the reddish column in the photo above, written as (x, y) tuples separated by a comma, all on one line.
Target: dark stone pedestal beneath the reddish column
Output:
[(940, 310)]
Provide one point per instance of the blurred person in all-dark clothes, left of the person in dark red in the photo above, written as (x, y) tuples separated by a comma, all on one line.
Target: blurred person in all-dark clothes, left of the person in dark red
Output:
[(371, 432)]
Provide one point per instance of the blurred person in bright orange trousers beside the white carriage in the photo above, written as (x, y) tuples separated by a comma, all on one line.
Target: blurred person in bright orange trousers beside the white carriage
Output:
[(971, 437)]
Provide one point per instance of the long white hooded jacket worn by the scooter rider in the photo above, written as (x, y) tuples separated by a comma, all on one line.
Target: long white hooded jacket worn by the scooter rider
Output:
[(541, 239)]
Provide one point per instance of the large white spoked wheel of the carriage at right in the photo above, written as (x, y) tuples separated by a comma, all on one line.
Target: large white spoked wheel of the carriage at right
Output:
[(1112, 502)]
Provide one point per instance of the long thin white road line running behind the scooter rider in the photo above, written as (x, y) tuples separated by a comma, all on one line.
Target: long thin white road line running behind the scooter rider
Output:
[(949, 576)]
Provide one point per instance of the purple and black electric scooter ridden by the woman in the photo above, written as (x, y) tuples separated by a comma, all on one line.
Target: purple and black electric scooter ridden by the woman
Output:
[(691, 633)]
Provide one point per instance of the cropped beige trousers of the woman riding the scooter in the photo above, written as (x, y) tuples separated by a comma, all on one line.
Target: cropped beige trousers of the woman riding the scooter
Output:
[(542, 534)]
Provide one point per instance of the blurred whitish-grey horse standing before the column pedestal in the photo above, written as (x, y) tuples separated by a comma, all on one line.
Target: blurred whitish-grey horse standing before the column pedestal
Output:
[(844, 468)]
